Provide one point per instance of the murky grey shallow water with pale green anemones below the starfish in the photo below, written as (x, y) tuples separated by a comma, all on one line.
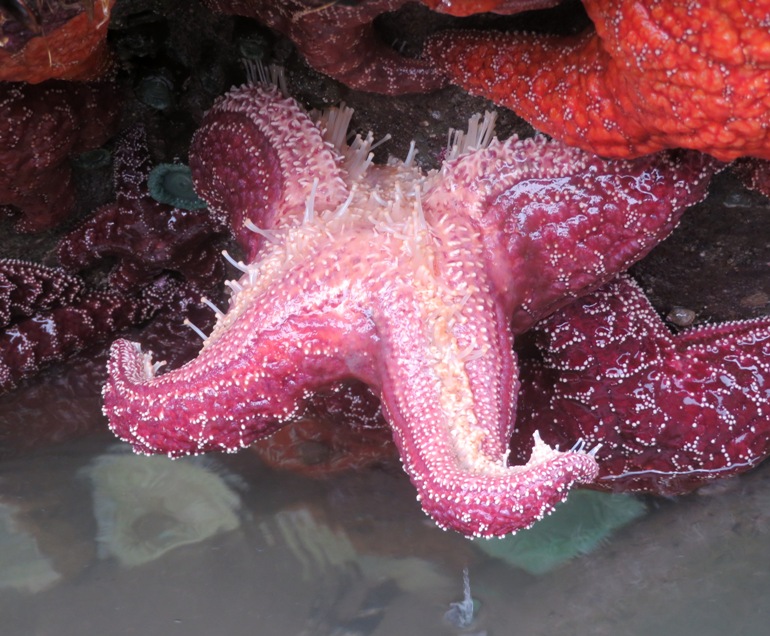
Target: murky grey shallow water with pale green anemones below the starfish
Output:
[(96, 540)]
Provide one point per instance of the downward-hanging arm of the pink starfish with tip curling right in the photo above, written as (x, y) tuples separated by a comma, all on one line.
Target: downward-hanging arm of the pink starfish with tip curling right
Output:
[(450, 421)]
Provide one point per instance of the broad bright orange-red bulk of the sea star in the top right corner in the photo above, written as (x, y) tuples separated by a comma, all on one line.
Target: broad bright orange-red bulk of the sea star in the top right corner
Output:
[(691, 77)]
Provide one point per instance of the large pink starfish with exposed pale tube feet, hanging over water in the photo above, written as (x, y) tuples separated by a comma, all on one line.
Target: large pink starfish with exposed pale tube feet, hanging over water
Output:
[(404, 280)]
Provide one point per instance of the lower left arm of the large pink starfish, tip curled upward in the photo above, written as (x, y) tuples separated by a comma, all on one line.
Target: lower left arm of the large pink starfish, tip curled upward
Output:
[(268, 353)]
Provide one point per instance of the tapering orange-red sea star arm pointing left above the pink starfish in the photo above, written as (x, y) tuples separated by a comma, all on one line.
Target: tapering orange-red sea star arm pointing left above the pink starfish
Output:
[(546, 80)]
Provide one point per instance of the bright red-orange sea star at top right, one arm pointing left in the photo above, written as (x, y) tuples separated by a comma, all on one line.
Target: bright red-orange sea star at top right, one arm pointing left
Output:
[(652, 75)]
